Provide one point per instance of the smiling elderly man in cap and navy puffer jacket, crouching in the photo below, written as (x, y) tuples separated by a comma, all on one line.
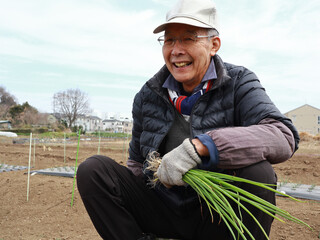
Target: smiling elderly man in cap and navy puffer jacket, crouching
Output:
[(197, 112)]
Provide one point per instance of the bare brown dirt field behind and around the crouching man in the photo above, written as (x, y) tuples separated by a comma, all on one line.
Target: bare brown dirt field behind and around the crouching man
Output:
[(48, 214)]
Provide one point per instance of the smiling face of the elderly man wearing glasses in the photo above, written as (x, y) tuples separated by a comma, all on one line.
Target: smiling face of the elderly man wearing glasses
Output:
[(188, 63)]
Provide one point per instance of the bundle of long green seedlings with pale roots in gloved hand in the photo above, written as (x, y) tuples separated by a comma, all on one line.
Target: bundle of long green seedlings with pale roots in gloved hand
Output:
[(217, 190)]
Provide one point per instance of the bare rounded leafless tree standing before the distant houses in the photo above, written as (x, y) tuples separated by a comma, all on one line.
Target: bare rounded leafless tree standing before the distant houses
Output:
[(70, 104)]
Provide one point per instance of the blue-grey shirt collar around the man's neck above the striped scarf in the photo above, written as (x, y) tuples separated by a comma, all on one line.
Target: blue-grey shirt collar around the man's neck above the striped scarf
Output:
[(173, 84)]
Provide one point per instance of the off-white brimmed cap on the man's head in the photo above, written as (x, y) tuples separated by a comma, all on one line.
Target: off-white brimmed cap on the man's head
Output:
[(199, 13)]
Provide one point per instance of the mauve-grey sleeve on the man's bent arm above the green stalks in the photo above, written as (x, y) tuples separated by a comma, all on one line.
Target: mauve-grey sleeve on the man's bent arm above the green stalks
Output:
[(238, 147)]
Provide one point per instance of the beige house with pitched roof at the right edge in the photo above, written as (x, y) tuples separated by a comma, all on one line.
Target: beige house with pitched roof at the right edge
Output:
[(306, 119)]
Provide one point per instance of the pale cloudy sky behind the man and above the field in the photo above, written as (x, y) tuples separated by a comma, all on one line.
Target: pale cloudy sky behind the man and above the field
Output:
[(106, 48)]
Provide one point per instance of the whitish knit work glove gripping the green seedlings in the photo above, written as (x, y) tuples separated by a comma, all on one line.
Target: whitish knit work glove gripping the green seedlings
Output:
[(177, 162)]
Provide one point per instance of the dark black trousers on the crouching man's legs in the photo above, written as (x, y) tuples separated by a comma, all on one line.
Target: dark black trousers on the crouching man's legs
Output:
[(121, 205)]
